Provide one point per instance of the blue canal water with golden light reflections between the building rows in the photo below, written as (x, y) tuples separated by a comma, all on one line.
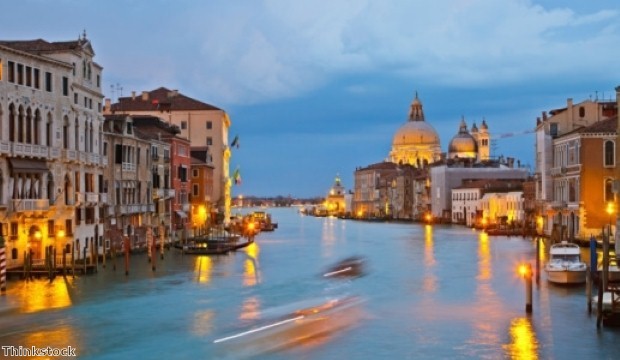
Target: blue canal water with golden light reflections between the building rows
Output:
[(430, 292)]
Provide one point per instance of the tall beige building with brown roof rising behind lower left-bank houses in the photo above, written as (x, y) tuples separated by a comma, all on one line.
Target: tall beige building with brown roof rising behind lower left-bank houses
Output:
[(203, 124)]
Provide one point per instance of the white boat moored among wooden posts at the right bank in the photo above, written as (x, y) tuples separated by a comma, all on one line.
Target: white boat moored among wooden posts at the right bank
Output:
[(565, 265)]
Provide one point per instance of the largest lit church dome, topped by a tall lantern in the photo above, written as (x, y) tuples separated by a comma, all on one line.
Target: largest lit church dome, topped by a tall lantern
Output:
[(416, 142)]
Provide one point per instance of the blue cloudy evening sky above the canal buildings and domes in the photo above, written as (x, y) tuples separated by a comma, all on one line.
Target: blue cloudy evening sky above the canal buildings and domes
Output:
[(316, 89)]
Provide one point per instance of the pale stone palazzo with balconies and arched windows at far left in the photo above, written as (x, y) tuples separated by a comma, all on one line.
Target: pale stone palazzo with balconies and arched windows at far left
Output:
[(50, 149)]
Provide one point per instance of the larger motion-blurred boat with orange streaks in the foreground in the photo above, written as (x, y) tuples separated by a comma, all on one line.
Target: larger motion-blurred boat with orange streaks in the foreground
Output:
[(293, 325)]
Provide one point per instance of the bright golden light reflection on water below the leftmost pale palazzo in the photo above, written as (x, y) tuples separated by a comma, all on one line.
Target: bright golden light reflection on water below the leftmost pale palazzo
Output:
[(38, 295)]
